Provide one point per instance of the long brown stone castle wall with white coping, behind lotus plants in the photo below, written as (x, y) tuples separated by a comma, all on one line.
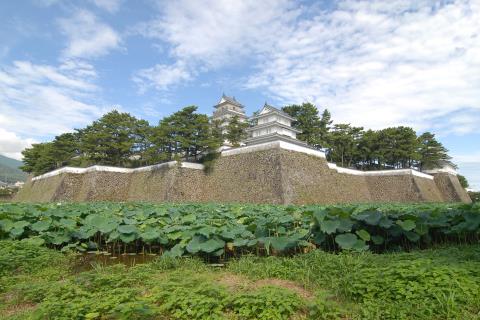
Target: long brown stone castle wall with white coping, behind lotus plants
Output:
[(272, 173)]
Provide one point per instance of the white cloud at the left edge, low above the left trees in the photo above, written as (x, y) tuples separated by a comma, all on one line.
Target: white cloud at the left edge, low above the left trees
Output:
[(39, 101)]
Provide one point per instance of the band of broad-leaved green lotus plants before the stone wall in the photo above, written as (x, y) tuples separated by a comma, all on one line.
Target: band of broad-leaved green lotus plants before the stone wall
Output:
[(234, 229)]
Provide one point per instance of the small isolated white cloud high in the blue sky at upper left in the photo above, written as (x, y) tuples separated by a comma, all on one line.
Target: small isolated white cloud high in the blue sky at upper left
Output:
[(87, 36)]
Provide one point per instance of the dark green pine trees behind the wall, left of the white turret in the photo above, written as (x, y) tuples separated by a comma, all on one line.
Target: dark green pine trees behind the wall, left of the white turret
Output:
[(119, 139)]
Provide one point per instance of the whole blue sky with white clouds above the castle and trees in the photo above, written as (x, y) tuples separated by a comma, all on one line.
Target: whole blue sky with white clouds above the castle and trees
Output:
[(371, 63)]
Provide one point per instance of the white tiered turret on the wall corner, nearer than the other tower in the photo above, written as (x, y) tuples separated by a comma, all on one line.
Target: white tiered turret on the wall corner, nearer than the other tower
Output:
[(272, 124)]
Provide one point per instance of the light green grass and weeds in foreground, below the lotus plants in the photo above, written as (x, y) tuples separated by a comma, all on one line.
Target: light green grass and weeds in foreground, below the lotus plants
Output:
[(432, 284)]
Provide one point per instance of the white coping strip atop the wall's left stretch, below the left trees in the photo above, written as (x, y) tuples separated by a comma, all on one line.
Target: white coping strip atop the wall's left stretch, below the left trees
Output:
[(96, 168)]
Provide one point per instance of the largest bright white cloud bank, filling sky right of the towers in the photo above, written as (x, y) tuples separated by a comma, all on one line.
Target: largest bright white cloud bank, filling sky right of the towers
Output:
[(381, 65)]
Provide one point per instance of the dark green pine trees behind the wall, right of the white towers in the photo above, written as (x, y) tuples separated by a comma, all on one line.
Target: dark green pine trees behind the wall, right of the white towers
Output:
[(349, 146)]
